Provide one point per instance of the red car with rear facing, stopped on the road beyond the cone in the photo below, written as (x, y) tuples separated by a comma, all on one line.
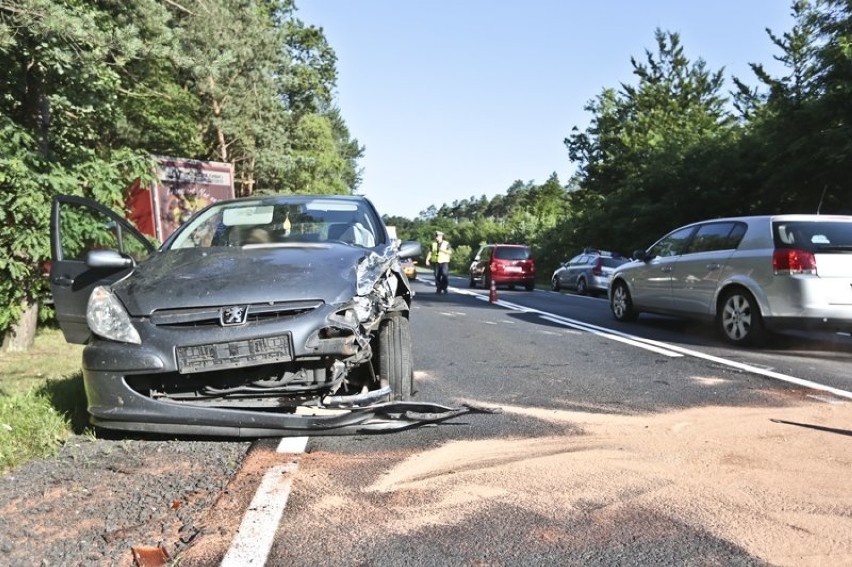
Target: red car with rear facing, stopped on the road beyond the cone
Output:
[(505, 265)]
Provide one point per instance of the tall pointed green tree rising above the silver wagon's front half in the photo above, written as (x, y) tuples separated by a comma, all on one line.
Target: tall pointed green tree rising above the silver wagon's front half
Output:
[(640, 159)]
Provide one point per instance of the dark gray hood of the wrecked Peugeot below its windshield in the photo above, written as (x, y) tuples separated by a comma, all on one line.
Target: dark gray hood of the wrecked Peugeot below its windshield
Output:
[(220, 276)]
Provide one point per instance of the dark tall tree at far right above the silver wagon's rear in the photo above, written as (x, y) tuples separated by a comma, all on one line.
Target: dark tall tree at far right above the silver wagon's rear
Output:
[(792, 144)]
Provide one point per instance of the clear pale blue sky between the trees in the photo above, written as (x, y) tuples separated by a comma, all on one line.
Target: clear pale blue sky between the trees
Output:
[(460, 98)]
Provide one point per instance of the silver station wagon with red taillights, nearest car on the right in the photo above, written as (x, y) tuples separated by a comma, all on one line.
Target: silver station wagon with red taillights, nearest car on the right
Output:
[(747, 274)]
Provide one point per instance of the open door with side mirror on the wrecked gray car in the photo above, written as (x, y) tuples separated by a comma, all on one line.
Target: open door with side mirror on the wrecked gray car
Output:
[(79, 226)]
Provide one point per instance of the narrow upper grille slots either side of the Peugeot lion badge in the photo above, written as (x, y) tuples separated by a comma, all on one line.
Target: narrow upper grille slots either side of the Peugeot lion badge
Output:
[(211, 316)]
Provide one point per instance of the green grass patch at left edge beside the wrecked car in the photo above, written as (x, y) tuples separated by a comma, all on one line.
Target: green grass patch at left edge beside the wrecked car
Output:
[(42, 401)]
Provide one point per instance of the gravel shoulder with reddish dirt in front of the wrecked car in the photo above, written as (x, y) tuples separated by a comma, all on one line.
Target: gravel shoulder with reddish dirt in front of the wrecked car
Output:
[(98, 499)]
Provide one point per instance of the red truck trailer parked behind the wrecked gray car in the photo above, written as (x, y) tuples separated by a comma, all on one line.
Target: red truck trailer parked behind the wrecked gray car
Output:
[(182, 186)]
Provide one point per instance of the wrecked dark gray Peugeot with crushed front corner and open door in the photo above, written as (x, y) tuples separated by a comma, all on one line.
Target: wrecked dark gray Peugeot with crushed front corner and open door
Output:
[(268, 316)]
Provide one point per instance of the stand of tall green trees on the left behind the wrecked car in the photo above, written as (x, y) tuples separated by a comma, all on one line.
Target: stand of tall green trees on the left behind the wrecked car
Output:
[(91, 89)]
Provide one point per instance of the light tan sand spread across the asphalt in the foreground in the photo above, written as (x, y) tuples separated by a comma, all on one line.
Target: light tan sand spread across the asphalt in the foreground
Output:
[(775, 481)]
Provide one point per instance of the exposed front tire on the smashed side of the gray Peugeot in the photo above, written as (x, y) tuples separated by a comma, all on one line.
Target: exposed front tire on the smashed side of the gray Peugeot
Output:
[(394, 356)]
